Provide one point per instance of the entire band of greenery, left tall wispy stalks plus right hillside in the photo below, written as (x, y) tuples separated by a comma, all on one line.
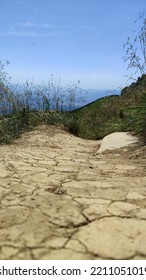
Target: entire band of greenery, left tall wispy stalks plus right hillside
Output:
[(23, 108)]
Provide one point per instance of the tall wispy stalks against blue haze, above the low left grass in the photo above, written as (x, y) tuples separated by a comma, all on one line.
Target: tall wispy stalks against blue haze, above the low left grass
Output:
[(46, 97)]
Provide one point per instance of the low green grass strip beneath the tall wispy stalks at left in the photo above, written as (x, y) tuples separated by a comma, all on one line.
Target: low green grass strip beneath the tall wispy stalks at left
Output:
[(12, 126)]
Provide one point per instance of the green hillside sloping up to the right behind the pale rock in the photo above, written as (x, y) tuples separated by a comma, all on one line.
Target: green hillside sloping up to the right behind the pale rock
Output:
[(126, 112)]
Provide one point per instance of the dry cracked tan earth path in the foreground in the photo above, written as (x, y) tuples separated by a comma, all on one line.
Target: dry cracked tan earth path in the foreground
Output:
[(58, 200)]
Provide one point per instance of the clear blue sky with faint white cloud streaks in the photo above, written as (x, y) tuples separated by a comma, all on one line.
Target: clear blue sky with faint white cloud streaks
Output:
[(72, 39)]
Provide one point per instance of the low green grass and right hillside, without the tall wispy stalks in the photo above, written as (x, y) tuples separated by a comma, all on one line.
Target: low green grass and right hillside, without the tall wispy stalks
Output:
[(106, 115)]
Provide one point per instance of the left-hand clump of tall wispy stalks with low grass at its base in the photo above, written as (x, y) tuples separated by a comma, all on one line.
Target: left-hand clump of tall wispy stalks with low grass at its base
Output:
[(26, 106)]
